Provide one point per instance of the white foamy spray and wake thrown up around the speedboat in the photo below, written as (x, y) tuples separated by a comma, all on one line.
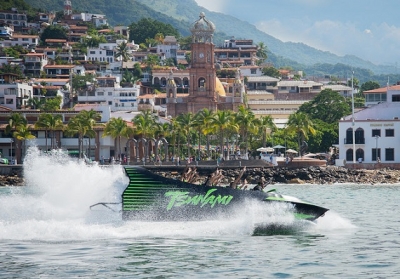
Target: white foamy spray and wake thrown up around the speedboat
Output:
[(54, 206)]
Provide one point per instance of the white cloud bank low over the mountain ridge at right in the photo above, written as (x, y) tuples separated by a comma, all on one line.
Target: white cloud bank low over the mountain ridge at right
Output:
[(378, 43)]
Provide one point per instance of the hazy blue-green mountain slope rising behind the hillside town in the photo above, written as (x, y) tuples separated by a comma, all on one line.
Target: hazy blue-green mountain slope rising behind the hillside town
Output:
[(181, 14)]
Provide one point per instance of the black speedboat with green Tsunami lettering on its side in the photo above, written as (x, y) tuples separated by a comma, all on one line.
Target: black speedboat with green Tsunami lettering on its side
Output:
[(151, 197)]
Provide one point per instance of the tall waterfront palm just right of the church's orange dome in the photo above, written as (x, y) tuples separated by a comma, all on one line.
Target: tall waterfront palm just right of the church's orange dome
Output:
[(246, 120)]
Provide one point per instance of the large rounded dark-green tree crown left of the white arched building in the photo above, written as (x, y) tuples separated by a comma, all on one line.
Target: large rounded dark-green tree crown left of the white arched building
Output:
[(328, 106)]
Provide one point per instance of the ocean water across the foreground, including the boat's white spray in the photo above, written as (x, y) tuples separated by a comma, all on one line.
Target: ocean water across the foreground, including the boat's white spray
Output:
[(48, 231)]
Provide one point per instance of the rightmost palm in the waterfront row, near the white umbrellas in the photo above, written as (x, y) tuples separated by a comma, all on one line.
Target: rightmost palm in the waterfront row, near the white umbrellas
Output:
[(300, 124)]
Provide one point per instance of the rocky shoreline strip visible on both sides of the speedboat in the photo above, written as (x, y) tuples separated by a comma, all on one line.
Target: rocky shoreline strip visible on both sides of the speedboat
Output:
[(273, 175)]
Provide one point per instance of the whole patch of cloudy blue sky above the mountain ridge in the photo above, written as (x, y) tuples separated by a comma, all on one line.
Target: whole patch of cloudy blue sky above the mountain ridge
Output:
[(369, 29)]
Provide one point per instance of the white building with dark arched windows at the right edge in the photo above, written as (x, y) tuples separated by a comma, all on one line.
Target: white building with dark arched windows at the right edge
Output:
[(376, 132)]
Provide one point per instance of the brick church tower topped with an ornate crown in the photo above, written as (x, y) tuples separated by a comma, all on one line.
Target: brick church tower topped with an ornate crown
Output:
[(202, 72)]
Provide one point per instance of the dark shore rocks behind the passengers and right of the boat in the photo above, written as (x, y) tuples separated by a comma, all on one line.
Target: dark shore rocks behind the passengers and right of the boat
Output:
[(310, 175)]
